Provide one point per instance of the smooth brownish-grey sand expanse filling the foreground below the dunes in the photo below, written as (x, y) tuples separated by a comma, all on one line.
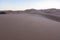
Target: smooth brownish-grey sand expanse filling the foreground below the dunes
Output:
[(28, 27)]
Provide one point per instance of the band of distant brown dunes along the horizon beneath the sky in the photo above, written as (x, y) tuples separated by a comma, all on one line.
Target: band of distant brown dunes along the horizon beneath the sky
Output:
[(53, 13)]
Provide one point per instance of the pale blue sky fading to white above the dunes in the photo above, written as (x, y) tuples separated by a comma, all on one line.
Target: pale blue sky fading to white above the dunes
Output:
[(28, 4)]
